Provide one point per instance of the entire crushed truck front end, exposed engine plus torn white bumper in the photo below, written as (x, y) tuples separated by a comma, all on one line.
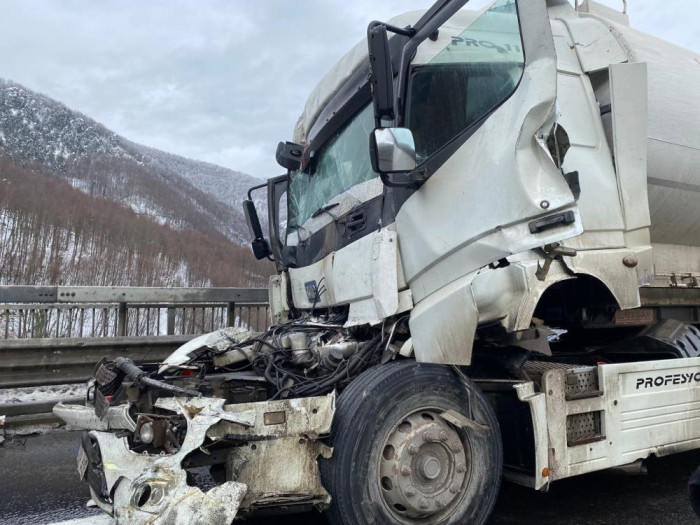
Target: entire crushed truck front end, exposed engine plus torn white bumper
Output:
[(200, 409)]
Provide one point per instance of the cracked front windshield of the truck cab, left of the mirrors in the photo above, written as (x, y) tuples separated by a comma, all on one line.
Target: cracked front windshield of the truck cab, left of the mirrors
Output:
[(340, 164)]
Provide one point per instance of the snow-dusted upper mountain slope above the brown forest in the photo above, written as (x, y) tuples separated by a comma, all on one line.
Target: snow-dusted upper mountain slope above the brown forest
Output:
[(36, 130)]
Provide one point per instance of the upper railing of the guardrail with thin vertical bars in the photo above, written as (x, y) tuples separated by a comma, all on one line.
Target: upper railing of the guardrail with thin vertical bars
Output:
[(28, 312)]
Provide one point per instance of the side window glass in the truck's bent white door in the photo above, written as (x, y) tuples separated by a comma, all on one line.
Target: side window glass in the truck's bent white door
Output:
[(473, 66)]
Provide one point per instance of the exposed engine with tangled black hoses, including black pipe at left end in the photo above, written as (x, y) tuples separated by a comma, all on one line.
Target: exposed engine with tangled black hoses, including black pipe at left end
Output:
[(303, 358)]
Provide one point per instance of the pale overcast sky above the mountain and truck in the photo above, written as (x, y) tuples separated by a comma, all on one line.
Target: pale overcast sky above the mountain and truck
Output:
[(220, 81)]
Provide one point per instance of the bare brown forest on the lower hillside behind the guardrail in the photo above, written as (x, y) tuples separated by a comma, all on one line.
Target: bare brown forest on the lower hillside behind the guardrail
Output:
[(54, 233)]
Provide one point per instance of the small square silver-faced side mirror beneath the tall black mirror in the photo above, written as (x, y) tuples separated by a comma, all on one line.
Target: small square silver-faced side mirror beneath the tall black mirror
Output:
[(392, 150)]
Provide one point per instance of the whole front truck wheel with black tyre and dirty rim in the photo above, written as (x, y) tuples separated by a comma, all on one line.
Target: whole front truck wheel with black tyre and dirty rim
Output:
[(396, 460)]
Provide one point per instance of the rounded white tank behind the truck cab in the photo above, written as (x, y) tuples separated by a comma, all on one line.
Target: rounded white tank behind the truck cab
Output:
[(673, 157)]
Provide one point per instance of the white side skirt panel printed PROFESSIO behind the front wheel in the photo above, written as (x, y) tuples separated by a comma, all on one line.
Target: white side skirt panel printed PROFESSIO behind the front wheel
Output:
[(646, 408)]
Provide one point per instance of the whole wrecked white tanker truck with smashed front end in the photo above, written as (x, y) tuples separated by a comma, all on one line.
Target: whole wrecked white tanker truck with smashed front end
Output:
[(488, 267)]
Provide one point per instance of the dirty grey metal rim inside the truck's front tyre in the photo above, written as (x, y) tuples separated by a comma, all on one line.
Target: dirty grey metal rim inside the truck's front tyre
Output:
[(423, 467)]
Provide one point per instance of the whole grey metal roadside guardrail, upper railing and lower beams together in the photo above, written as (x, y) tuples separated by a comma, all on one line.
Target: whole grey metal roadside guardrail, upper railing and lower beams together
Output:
[(53, 335)]
